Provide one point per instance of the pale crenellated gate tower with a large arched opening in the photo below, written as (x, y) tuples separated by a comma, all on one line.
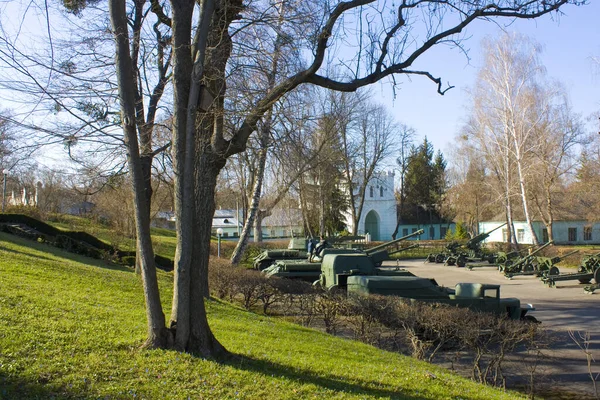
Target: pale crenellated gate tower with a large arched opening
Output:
[(378, 217)]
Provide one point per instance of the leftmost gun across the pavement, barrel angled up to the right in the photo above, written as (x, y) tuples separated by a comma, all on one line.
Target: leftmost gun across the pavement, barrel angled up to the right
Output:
[(459, 254)]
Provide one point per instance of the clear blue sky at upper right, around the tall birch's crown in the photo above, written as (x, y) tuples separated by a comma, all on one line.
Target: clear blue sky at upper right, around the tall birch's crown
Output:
[(569, 43)]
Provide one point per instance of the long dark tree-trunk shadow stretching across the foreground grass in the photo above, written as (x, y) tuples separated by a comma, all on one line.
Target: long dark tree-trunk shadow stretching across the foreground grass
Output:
[(356, 387)]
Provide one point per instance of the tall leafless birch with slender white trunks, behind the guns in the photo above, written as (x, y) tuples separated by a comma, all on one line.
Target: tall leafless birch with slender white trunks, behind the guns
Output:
[(509, 113)]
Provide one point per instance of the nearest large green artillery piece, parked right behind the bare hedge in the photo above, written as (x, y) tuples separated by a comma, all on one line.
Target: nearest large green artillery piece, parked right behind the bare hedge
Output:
[(357, 274)]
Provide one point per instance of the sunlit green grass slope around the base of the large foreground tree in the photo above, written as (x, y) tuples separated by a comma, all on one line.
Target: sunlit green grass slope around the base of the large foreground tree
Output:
[(71, 327)]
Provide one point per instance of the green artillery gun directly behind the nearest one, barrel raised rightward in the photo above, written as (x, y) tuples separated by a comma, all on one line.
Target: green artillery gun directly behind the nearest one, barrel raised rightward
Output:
[(310, 270)]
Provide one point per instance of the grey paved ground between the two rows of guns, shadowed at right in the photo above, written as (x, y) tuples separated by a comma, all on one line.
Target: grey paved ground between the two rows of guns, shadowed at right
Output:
[(560, 309)]
